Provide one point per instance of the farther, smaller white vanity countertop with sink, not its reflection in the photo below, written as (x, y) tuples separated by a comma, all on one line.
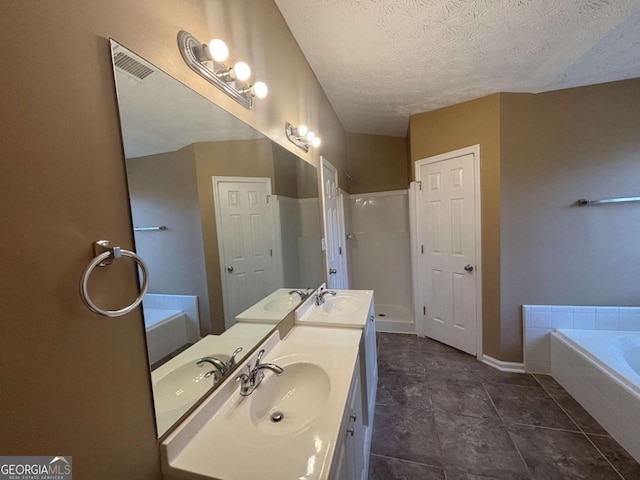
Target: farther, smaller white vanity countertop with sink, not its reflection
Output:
[(348, 308)]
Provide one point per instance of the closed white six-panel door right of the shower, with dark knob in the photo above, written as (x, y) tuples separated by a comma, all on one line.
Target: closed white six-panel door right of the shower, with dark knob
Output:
[(448, 239)]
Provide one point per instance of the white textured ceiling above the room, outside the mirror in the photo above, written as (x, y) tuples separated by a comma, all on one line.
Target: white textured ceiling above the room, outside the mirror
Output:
[(380, 61)]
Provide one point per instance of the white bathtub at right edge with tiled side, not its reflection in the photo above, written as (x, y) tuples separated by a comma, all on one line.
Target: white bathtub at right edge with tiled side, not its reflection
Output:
[(601, 370)]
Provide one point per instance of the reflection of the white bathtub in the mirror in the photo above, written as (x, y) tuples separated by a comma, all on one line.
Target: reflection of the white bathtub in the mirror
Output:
[(166, 331)]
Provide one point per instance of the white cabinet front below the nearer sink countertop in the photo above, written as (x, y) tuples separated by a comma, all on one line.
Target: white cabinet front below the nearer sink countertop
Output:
[(350, 458)]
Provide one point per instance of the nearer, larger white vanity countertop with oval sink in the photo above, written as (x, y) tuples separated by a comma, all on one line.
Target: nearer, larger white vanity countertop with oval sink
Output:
[(236, 440)]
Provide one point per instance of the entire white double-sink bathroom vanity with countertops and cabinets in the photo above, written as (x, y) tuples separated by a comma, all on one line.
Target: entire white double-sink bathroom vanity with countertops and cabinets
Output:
[(314, 421)]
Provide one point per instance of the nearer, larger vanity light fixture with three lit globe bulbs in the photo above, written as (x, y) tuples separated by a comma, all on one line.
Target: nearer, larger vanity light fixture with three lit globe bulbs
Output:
[(207, 60)]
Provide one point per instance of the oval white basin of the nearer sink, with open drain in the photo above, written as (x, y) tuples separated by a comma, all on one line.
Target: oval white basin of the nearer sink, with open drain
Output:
[(284, 404)]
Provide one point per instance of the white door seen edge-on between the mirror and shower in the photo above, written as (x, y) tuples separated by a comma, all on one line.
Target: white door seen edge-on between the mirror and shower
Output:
[(333, 227)]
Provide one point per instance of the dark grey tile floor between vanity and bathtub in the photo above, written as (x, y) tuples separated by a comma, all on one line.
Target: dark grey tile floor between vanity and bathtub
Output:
[(441, 414)]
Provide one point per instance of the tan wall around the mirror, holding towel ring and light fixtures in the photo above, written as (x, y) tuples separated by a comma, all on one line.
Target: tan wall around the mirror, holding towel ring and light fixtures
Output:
[(75, 382)]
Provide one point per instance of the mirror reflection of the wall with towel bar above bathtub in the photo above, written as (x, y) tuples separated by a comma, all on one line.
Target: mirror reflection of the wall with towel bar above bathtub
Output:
[(163, 191)]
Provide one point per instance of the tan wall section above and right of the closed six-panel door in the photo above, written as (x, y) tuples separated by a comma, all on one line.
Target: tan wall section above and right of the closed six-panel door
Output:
[(447, 129)]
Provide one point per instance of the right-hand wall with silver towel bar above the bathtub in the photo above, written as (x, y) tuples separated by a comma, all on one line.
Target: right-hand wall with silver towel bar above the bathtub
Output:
[(558, 147)]
